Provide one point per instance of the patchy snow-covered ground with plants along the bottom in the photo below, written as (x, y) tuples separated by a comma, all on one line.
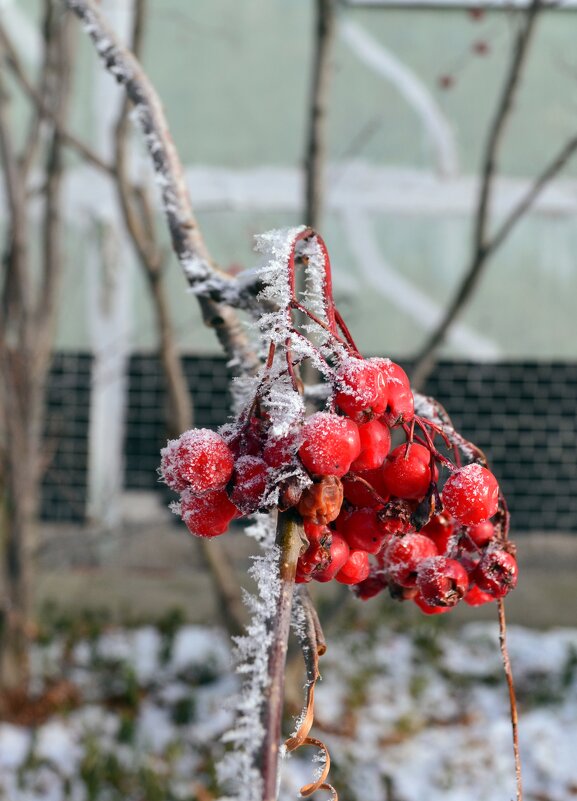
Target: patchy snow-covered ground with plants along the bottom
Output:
[(407, 715)]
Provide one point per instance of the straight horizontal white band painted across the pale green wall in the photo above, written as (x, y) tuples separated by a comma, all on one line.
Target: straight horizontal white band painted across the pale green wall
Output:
[(359, 185)]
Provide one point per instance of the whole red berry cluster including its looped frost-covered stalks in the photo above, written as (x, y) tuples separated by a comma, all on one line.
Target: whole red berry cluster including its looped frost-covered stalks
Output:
[(413, 519)]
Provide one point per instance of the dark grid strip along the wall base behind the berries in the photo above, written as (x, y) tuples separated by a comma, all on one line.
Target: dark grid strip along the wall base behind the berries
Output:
[(523, 415)]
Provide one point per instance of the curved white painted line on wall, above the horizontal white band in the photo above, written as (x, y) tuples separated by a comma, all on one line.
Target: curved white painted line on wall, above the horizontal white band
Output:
[(374, 55)]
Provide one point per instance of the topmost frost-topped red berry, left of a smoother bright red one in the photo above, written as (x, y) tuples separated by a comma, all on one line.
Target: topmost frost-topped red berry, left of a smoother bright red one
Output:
[(363, 394)]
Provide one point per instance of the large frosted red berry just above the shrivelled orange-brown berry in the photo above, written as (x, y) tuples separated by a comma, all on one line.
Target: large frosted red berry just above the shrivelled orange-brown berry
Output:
[(329, 444)]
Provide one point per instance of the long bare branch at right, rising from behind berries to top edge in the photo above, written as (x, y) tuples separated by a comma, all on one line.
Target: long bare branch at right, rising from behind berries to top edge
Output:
[(426, 358)]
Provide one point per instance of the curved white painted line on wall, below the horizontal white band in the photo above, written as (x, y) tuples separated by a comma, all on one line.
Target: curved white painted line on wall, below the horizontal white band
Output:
[(403, 293)]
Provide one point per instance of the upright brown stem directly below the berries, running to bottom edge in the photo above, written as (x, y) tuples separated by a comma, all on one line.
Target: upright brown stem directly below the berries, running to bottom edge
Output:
[(290, 540)]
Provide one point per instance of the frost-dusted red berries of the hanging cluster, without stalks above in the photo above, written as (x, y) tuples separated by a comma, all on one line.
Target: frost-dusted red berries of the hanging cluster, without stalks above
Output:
[(363, 499)]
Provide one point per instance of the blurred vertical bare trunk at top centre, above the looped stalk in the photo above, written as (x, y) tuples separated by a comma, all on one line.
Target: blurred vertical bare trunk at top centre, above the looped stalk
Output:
[(318, 114)]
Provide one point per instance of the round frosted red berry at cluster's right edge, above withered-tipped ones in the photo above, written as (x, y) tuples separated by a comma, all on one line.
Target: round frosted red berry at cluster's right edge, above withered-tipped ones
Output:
[(471, 494)]
